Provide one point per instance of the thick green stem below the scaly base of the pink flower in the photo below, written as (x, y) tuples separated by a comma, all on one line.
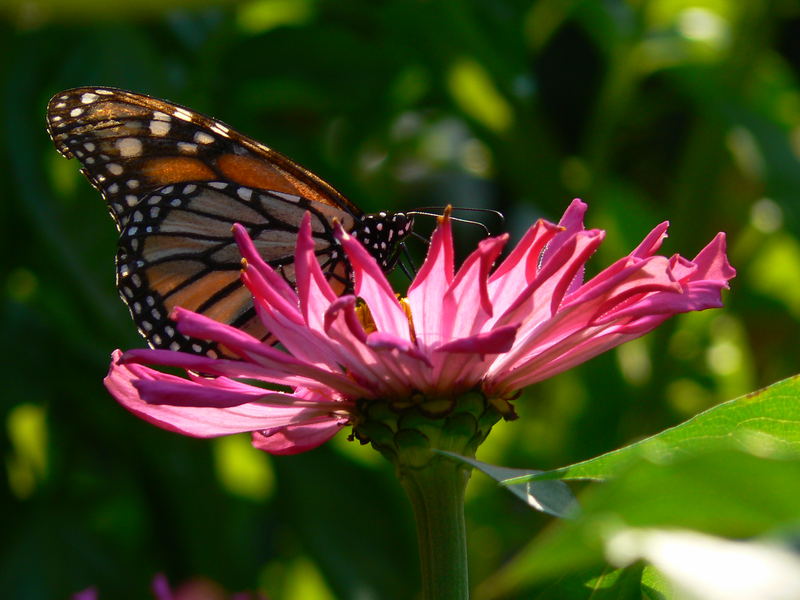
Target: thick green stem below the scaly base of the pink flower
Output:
[(436, 492)]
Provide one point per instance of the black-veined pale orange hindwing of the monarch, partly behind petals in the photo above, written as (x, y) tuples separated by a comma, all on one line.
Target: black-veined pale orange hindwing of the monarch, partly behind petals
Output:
[(177, 250)]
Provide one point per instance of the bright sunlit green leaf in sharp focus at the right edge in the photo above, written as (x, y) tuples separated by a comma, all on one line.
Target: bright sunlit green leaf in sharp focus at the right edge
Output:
[(763, 423)]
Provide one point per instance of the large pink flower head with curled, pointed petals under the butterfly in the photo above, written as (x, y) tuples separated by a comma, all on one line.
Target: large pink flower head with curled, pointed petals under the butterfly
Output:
[(477, 328)]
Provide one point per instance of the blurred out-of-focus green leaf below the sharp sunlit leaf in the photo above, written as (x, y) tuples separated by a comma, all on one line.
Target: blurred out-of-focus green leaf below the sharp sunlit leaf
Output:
[(724, 493)]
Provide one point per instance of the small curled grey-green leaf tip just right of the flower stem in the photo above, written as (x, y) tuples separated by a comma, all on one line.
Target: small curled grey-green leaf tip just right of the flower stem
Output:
[(551, 497)]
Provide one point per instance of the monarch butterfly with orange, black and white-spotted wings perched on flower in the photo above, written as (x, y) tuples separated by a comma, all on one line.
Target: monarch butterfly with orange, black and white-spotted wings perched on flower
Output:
[(175, 181)]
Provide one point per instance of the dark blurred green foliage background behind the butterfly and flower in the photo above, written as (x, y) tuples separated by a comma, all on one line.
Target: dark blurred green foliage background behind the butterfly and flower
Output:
[(649, 110)]
